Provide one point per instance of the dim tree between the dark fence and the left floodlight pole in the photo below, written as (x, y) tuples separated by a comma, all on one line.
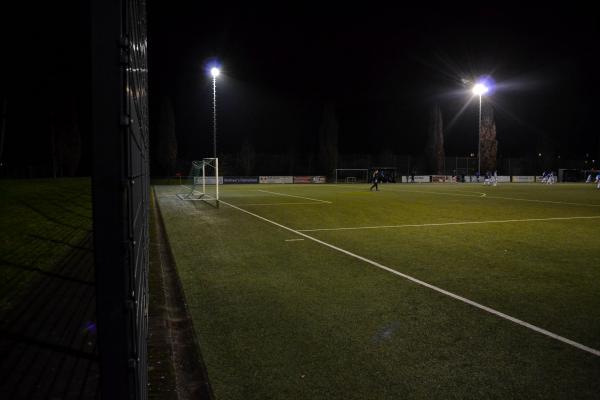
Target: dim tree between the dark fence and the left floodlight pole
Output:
[(167, 139)]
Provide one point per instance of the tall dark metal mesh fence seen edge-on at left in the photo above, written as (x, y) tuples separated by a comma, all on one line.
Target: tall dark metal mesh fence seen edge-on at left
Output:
[(120, 193)]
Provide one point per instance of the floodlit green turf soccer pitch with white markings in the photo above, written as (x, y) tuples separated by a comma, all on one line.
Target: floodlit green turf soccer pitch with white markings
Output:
[(305, 291)]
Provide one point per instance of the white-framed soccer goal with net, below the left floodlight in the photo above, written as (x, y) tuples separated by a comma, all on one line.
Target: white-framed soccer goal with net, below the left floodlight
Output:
[(203, 182)]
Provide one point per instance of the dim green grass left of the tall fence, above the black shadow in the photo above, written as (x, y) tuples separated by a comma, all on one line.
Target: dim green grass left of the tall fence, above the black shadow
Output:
[(41, 222)]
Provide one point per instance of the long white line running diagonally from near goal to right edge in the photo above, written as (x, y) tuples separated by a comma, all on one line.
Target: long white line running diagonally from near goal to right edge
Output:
[(432, 287)]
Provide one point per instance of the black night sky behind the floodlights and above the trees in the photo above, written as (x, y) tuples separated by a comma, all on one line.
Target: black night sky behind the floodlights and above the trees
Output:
[(382, 67)]
